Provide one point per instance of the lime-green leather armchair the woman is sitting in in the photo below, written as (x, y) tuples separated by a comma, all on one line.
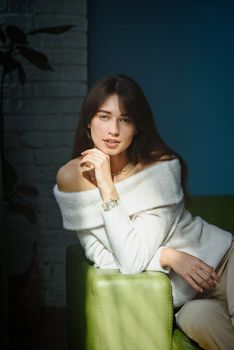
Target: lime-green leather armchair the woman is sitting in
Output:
[(107, 310)]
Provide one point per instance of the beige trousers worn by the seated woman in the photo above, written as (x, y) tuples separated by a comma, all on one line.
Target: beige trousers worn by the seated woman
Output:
[(209, 319)]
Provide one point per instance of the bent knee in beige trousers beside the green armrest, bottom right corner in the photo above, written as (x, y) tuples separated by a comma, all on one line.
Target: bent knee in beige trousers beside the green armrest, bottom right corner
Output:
[(208, 323)]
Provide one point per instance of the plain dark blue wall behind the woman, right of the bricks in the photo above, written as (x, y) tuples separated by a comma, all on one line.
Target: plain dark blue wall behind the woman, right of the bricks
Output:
[(182, 54)]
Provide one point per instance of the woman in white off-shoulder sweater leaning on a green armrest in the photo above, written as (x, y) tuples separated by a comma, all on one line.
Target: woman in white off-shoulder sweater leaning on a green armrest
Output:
[(124, 193)]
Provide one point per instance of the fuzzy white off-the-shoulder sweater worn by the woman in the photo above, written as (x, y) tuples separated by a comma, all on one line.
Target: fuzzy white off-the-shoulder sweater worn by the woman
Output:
[(151, 215)]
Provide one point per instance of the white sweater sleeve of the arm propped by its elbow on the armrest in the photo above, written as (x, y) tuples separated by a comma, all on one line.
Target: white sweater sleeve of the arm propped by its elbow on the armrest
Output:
[(137, 241)]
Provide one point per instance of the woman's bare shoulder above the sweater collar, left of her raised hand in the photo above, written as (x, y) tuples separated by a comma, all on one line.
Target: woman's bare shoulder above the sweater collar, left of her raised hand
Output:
[(69, 178)]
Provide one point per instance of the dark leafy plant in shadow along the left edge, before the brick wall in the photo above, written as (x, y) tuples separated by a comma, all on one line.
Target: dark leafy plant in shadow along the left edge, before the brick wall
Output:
[(14, 43)]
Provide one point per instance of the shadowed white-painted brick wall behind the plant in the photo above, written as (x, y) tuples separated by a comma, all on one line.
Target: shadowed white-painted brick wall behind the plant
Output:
[(40, 120)]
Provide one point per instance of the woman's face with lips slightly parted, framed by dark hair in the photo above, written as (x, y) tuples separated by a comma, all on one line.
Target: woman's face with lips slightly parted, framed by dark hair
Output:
[(112, 131)]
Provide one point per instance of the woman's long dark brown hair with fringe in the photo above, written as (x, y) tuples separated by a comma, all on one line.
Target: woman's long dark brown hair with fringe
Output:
[(147, 145)]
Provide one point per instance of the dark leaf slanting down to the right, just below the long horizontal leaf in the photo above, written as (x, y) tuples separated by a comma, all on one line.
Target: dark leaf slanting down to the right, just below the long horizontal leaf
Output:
[(37, 58)]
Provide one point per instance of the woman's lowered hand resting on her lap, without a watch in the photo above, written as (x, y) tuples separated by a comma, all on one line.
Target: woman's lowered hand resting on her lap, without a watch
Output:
[(193, 270)]
